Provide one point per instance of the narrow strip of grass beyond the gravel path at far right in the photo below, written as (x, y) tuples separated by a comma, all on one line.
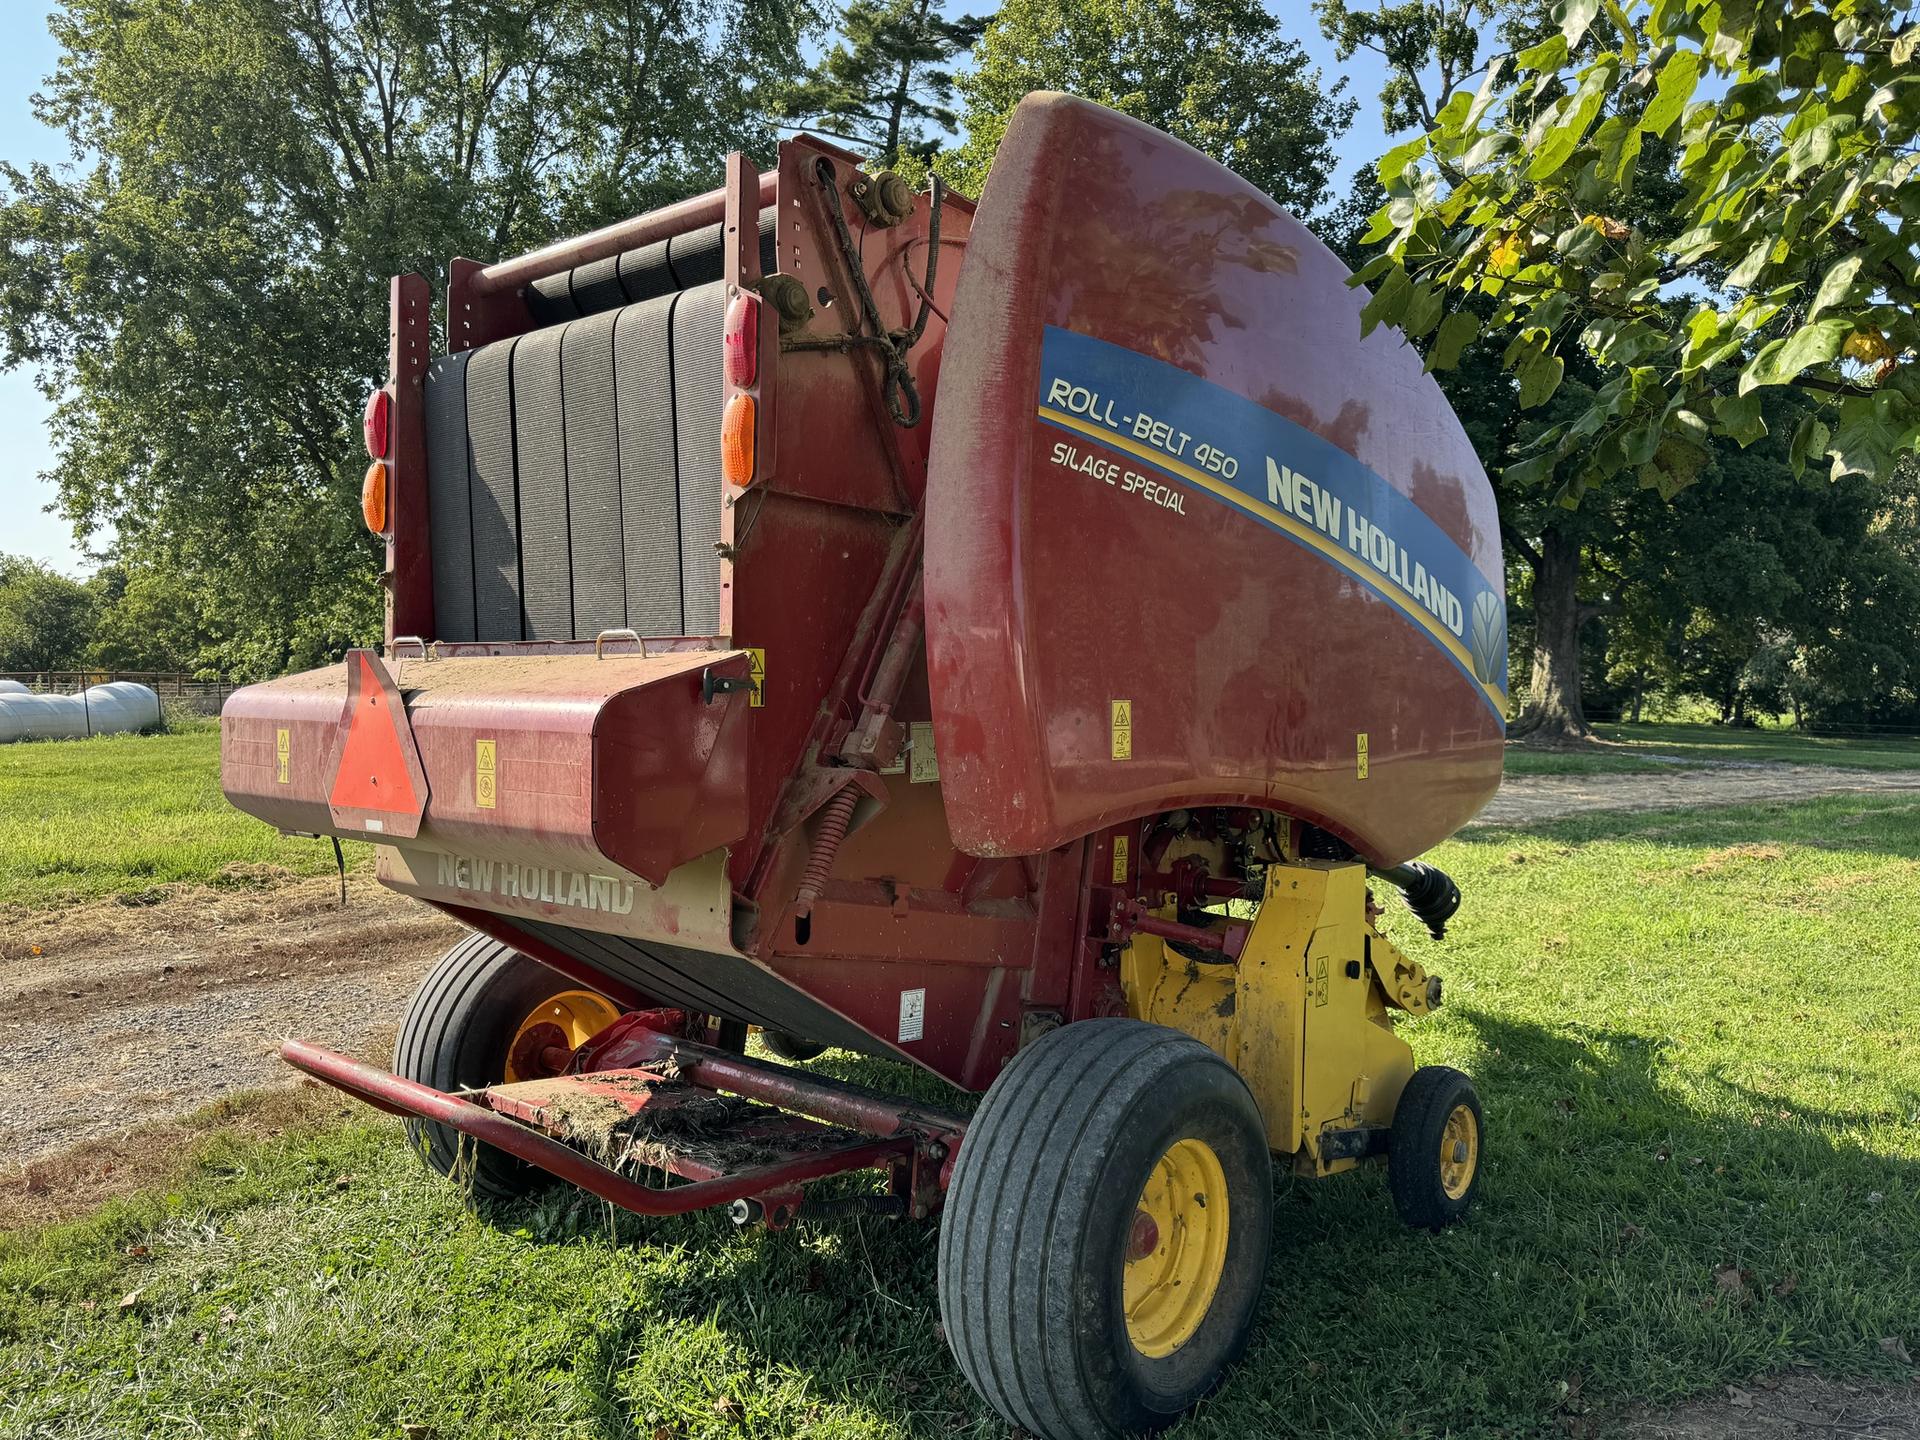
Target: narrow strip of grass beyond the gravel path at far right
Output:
[(1654, 748)]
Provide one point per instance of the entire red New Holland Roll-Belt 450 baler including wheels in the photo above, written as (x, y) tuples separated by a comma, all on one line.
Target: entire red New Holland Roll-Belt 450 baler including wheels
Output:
[(999, 638)]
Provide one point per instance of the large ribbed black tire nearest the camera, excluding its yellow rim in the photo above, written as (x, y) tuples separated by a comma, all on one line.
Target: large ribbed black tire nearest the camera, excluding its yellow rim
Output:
[(1038, 1218)]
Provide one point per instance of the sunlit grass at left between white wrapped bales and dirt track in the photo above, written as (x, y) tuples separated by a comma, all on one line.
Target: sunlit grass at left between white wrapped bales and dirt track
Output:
[(126, 815)]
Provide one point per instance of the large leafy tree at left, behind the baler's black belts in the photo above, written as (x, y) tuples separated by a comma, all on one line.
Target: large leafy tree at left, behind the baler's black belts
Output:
[(203, 289)]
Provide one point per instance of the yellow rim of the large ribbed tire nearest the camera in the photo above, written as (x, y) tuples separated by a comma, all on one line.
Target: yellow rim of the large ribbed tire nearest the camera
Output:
[(1176, 1251)]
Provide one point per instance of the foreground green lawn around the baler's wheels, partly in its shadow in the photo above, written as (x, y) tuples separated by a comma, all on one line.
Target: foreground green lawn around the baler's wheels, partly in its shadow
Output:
[(1698, 1042)]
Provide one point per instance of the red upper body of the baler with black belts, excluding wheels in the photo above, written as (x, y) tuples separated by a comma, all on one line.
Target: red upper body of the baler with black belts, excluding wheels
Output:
[(598, 788)]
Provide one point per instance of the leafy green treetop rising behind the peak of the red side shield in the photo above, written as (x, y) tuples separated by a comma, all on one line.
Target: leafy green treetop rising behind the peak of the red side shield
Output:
[(1222, 78)]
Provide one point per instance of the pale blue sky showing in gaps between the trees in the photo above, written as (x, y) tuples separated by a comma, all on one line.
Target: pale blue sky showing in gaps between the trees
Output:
[(28, 57)]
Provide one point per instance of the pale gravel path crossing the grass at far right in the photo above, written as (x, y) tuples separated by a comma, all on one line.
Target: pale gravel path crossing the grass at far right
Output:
[(1531, 800)]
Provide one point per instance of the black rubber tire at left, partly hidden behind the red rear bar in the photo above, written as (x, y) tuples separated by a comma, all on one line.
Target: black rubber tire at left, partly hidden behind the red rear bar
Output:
[(456, 1038)]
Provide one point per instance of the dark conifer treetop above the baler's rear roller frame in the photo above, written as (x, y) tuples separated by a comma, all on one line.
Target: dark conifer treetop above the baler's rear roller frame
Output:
[(890, 74)]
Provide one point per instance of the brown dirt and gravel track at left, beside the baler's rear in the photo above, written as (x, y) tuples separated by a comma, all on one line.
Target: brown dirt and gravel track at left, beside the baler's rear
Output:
[(118, 1015)]
